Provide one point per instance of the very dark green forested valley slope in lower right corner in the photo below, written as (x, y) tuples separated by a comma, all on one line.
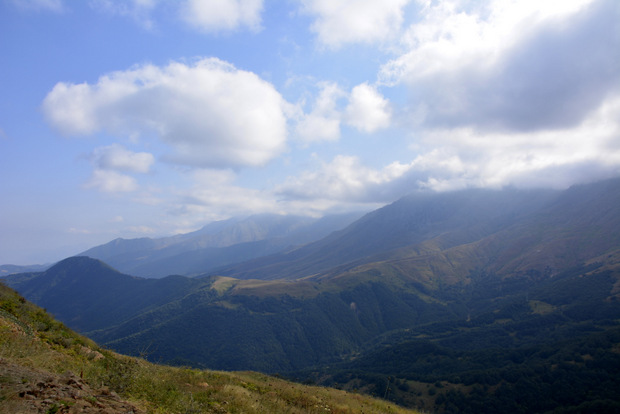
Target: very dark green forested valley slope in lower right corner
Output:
[(552, 346)]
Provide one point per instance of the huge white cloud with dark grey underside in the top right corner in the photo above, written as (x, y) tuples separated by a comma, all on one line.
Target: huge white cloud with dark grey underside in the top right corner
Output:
[(510, 65)]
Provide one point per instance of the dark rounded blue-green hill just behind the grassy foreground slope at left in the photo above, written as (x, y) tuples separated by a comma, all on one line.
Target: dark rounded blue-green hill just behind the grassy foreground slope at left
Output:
[(88, 294)]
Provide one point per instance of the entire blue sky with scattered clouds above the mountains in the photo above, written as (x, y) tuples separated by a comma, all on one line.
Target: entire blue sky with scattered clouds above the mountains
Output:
[(147, 118)]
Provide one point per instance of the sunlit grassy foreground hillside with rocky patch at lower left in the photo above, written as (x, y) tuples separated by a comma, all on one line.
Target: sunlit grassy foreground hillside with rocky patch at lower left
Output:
[(46, 368)]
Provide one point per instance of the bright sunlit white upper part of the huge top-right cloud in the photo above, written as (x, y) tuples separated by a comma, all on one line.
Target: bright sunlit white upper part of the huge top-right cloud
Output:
[(454, 34)]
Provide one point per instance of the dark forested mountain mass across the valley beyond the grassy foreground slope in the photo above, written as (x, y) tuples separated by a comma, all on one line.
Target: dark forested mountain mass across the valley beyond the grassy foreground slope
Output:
[(445, 301)]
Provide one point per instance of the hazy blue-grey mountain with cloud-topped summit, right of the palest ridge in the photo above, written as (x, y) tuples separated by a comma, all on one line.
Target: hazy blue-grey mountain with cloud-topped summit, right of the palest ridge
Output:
[(458, 217)]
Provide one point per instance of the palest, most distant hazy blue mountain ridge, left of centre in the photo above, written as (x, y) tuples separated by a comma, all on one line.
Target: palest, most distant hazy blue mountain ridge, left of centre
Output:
[(215, 245)]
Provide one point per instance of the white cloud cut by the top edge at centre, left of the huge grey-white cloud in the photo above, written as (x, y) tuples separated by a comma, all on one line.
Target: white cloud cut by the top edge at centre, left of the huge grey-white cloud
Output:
[(339, 22)]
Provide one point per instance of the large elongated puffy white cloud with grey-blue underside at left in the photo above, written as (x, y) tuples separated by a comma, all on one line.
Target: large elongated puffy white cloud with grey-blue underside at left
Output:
[(209, 113)]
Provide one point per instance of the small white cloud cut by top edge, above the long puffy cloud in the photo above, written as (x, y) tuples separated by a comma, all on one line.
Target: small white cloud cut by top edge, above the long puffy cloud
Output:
[(222, 15)]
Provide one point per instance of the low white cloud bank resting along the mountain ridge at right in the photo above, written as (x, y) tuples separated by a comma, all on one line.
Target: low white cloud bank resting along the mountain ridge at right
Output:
[(456, 158)]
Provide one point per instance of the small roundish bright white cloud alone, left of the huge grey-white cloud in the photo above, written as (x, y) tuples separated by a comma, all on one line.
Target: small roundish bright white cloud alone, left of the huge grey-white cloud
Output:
[(368, 111)]
